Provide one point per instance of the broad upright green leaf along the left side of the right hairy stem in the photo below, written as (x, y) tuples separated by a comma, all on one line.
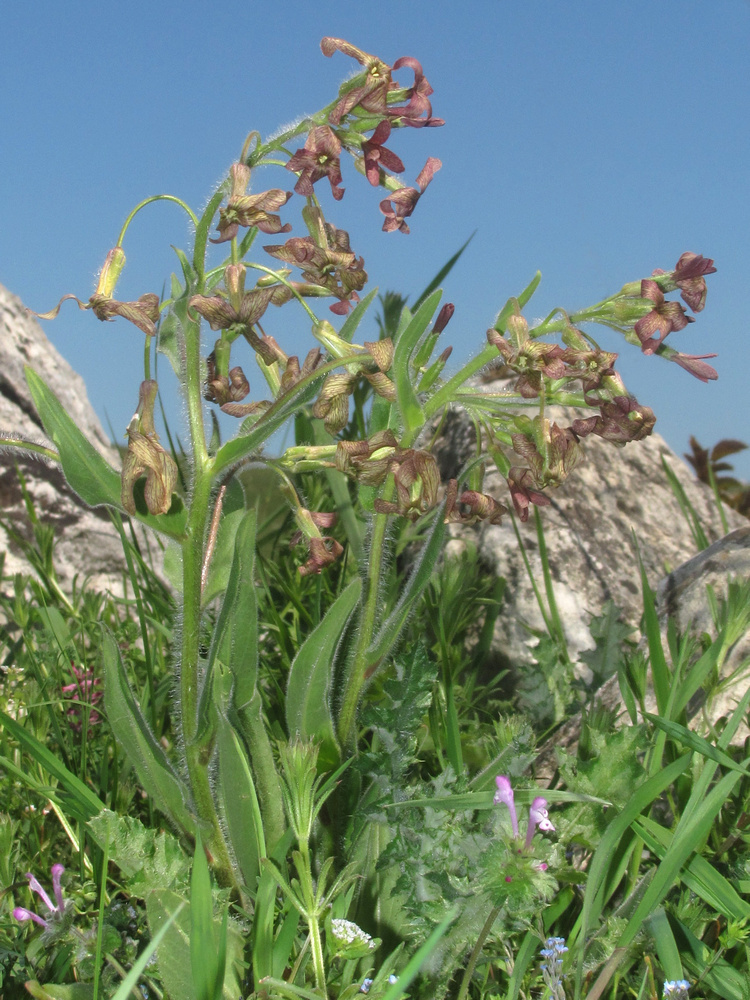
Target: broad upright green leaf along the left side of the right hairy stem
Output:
[(308, 707)]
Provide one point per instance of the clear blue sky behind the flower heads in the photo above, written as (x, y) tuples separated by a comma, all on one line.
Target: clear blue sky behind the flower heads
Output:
[(594, 141)]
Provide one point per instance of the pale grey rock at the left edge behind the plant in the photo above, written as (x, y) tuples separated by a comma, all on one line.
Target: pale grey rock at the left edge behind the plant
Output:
[(87, 546)]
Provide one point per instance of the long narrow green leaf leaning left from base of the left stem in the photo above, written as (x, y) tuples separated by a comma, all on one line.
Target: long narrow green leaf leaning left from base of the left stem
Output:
[(155, 773)]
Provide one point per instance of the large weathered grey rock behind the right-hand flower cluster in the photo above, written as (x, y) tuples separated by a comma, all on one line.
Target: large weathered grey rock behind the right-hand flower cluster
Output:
[(616, 495)]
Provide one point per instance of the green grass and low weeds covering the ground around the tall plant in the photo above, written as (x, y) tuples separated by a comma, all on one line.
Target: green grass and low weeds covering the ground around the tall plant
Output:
[(647, 873)]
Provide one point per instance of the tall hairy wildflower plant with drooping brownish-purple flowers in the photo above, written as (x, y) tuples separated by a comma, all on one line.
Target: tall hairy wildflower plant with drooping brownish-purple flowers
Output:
[(260, 771)]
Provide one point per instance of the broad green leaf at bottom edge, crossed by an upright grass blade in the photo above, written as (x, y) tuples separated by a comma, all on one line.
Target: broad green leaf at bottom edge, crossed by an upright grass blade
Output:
[(174, 956)]
